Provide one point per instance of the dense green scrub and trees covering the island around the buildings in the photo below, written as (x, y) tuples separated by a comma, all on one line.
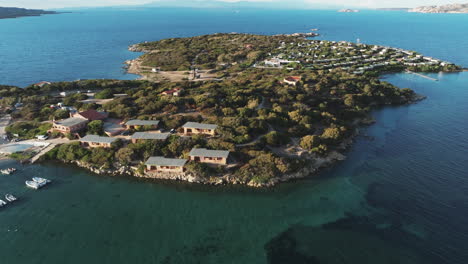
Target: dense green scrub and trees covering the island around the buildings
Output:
[(271, 128)]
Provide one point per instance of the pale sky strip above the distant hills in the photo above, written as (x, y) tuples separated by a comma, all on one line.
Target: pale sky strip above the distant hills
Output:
[(49, 4)]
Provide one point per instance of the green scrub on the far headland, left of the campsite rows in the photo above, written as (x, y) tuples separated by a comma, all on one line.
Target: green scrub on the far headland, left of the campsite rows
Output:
[(206, 52)]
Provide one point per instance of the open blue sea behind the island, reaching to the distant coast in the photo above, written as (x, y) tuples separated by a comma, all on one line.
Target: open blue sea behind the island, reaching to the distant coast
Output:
[(93, 43)]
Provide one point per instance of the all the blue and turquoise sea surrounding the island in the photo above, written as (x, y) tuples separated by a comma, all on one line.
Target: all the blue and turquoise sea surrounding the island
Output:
[(400, 197)]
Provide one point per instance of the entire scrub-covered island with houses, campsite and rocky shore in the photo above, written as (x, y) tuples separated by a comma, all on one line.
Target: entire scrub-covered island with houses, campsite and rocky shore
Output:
[(216, 109)]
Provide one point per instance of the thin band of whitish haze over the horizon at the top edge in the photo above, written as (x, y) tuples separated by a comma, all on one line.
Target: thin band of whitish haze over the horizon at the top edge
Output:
[(305, 4)]
